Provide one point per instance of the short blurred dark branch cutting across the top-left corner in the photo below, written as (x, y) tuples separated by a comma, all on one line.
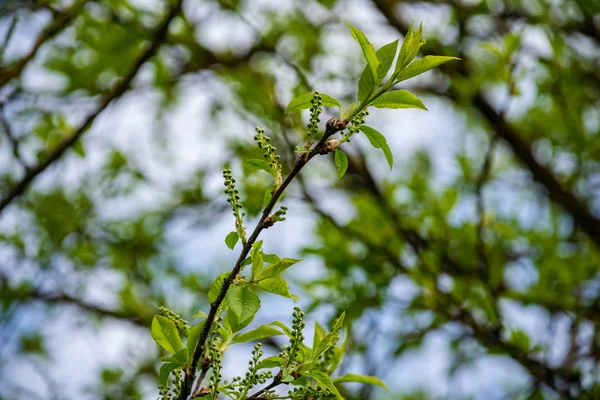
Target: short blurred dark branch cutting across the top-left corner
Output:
[(59, 24)]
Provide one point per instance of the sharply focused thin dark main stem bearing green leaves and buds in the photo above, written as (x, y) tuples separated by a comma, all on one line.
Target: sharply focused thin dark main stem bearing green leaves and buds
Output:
[(301, 161)]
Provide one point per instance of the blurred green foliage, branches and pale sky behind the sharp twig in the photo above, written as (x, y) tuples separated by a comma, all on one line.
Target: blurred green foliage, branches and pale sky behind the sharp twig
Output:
[(469, 271)]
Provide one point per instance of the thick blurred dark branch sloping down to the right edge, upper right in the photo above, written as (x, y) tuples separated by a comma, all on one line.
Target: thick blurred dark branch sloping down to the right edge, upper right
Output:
[(578, 210)]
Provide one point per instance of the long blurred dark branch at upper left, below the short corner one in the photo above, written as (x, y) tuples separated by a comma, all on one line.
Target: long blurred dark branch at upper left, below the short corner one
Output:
[(119, 89)]
